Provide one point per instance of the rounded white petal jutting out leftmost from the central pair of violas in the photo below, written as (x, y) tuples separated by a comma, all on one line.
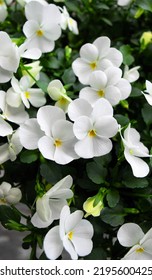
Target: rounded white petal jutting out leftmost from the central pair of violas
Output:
[(30, 133)]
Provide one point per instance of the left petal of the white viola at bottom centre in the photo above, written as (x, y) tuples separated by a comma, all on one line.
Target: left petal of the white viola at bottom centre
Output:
[(53, 246)]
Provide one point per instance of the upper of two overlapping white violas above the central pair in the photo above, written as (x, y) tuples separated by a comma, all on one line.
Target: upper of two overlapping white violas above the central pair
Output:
[(96, 56)]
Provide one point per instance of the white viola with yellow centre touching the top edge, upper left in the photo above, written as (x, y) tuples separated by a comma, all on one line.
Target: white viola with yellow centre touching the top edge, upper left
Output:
[(42, 27)]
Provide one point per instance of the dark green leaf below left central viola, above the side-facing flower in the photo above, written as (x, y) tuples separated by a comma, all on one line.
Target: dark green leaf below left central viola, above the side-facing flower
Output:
[(51, 172)]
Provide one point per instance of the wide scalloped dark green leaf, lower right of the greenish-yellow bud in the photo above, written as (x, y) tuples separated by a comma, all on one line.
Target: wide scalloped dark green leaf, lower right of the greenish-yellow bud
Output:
[(114, 216)]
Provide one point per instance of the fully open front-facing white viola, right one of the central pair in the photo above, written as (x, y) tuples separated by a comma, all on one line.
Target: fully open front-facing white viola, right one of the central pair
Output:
[(93, 127)]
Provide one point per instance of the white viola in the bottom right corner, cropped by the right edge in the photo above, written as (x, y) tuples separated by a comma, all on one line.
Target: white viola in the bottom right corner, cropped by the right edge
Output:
[(131, 235)]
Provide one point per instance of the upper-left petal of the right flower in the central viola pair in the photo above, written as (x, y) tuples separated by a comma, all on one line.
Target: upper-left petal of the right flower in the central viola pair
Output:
[(79, 107)]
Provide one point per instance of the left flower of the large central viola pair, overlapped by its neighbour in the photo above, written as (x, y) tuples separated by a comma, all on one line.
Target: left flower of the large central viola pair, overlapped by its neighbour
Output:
[(59, 140)]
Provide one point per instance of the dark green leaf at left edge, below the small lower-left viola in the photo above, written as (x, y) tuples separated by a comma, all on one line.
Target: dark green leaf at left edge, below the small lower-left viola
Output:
[(7, 213)]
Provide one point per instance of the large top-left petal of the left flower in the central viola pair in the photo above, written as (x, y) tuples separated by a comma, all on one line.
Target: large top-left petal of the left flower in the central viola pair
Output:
[(46, 117)]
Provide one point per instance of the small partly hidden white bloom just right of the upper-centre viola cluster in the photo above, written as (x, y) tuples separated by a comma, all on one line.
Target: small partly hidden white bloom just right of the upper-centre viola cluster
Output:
[(132, 74)]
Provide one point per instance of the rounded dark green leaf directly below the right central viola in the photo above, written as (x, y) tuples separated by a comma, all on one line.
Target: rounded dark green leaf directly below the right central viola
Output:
[(96, 173)]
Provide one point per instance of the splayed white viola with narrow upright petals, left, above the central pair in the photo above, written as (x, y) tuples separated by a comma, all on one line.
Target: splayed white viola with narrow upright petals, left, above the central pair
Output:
[(21, 91)]
